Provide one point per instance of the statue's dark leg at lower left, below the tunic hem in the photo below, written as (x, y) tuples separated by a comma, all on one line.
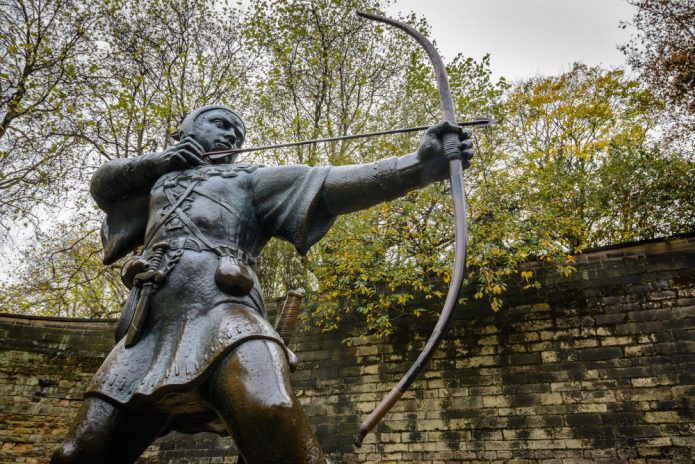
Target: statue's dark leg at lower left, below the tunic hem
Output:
[(107, 434)]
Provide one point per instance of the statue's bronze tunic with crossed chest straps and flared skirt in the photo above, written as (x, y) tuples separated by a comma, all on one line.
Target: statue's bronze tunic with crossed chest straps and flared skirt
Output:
[(191, 324)]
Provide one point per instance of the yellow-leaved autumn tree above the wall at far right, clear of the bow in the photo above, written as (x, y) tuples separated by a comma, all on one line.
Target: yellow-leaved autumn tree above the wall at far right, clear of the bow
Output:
[(583, 137)]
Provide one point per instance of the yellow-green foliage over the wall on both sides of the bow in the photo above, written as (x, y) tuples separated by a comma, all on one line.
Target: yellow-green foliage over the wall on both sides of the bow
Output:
[(569, 166)]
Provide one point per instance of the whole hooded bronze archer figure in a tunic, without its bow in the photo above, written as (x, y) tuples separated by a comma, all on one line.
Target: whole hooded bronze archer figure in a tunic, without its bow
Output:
[(195, 349)]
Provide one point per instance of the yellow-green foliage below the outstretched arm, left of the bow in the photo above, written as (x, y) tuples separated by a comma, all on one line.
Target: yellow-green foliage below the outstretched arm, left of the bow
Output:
[(384, 263)]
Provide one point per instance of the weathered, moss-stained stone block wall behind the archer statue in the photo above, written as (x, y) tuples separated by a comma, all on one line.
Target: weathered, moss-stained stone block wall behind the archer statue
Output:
[(598, 367)]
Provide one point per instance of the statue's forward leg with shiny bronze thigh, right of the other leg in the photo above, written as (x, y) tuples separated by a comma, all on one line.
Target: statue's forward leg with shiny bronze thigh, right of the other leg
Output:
[(252, 393)]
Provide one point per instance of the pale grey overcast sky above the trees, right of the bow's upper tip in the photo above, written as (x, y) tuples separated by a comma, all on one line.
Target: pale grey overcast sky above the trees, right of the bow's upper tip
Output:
[(526, 37)]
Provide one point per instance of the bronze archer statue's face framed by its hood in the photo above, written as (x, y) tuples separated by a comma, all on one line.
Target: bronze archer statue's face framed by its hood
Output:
[(218, 130)]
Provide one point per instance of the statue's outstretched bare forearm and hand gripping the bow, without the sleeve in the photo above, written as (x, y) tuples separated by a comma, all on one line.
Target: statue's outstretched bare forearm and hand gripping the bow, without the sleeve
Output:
[(355, 187)]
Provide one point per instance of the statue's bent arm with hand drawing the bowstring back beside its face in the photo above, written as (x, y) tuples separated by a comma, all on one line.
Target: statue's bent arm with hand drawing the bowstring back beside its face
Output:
[(124, 177)]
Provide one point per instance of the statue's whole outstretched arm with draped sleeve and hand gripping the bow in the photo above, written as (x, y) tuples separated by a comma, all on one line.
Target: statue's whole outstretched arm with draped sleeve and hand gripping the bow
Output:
[(299, 203)]
